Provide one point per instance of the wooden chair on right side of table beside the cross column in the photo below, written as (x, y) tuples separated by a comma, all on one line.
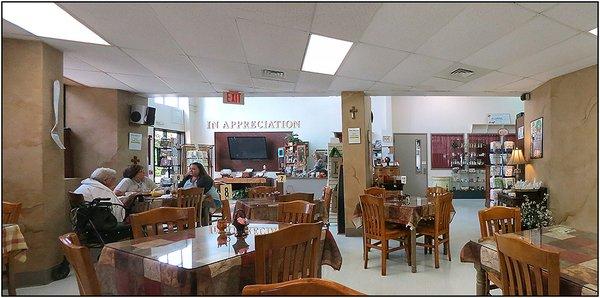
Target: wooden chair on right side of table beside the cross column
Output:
[(439, 227)]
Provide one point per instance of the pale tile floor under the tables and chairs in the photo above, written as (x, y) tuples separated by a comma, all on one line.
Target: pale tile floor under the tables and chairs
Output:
[(452, 278)]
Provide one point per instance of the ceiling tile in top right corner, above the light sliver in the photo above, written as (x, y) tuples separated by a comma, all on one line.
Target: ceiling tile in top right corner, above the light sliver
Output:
[(583, 16)]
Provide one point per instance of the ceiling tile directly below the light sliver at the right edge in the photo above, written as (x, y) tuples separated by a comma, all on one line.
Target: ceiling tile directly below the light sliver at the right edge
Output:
[(564, 53)]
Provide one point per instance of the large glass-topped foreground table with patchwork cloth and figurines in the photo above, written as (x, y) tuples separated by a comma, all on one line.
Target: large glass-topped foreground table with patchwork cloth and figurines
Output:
[(192, 262)]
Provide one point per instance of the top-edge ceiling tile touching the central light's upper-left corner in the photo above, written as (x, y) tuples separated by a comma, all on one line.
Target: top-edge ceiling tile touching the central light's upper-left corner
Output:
[(292, 15)]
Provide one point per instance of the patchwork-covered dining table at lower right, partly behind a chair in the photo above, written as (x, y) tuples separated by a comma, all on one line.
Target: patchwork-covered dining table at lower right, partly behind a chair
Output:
[(578, 253)]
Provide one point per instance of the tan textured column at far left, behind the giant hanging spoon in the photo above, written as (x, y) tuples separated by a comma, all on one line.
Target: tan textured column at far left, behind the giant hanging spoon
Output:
[(33, 165)]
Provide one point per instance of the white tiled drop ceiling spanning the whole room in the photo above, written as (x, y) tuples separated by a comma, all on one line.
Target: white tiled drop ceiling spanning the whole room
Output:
[(202, 49)]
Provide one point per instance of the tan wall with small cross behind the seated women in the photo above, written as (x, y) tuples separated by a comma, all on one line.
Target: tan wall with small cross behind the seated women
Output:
[(99, 120)]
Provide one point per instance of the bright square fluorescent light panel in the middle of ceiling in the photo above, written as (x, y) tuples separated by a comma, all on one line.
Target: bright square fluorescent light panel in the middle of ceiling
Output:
[(324, 54)]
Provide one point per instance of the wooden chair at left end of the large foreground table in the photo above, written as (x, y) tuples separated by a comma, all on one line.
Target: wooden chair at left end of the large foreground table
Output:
[(79, 257)]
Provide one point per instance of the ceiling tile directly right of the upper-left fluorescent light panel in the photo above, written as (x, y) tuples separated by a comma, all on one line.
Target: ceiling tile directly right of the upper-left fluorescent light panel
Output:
[(143, 30)]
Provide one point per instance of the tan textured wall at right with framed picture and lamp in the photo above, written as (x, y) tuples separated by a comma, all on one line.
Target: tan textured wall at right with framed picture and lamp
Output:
[(569, 105)]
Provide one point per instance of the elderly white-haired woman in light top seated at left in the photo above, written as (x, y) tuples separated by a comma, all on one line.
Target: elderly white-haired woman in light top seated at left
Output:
[(100, 185)]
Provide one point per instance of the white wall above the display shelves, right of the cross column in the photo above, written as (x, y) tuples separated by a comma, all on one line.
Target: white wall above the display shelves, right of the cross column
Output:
[(444, 114)]
